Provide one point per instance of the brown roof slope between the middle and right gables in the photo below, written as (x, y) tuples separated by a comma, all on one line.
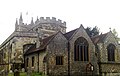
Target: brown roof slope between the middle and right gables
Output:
[(99, 38)]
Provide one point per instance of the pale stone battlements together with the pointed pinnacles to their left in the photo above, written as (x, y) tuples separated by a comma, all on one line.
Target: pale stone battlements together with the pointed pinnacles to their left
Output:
[(42, 20)]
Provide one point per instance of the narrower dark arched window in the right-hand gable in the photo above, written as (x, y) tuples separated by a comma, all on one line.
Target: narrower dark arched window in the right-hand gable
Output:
[(111, 52)]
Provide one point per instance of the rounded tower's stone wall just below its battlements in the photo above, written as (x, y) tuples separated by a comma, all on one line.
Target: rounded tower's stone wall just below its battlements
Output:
[(47, 29)]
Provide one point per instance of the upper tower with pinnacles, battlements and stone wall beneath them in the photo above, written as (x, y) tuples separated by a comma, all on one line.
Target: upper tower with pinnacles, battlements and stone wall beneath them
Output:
[(48, 23)]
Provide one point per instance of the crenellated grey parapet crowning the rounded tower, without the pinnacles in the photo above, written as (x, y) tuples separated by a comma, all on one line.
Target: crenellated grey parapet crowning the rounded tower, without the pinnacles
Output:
[(50, 20)]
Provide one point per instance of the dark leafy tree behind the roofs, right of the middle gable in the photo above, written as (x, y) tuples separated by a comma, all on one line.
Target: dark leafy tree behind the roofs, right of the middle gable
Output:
[(92, 31)]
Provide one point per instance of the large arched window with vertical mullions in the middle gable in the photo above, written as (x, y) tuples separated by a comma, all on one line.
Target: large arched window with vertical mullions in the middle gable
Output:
[(81, 49)]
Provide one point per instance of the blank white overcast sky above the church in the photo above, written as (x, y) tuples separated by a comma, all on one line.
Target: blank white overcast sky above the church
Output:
[(104, 14)]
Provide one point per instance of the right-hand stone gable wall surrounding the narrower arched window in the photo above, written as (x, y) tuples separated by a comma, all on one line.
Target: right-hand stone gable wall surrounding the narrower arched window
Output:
[(103, 48)]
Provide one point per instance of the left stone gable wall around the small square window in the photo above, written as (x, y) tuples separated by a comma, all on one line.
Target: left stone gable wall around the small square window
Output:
[(57, 47)]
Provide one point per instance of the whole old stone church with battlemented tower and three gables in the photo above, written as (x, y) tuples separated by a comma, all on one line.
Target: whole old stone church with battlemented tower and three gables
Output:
[(44, 46)]
